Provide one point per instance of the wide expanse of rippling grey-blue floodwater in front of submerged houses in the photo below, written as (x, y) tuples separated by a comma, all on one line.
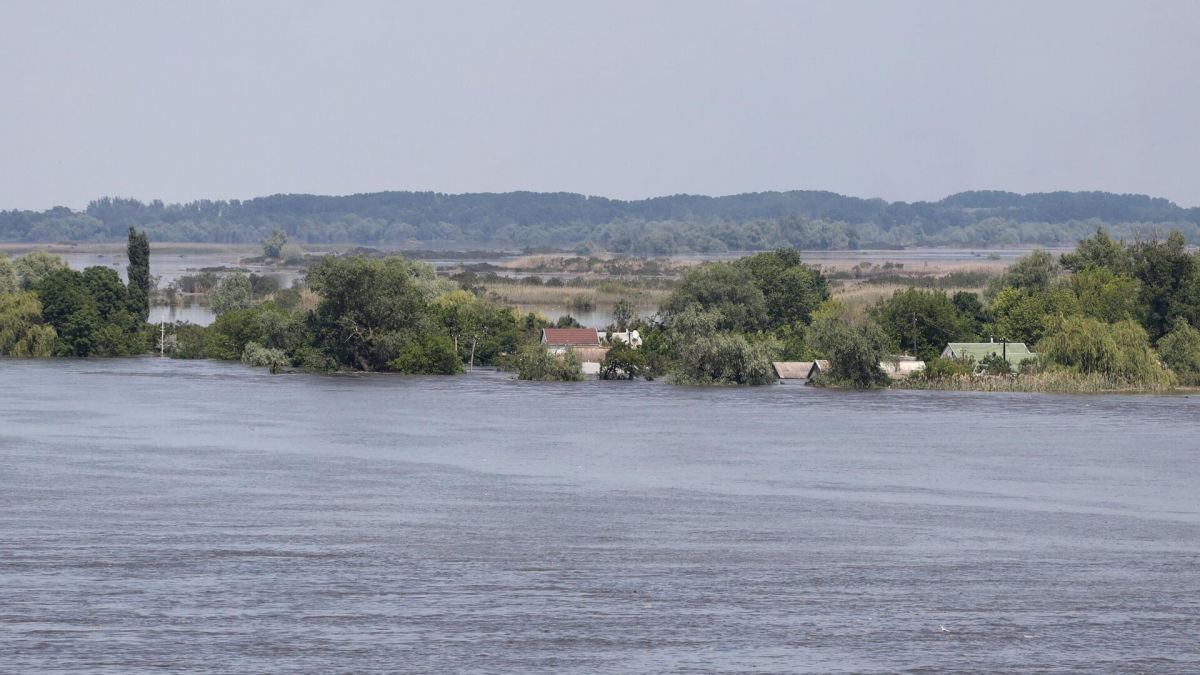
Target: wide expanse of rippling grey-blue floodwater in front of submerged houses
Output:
[(212, 518)]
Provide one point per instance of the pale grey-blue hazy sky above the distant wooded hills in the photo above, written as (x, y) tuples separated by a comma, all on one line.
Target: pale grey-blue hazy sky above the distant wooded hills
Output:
[(897, 100)]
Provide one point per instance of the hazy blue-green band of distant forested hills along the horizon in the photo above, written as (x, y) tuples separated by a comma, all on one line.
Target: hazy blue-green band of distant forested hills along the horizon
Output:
[(807, 220)]
